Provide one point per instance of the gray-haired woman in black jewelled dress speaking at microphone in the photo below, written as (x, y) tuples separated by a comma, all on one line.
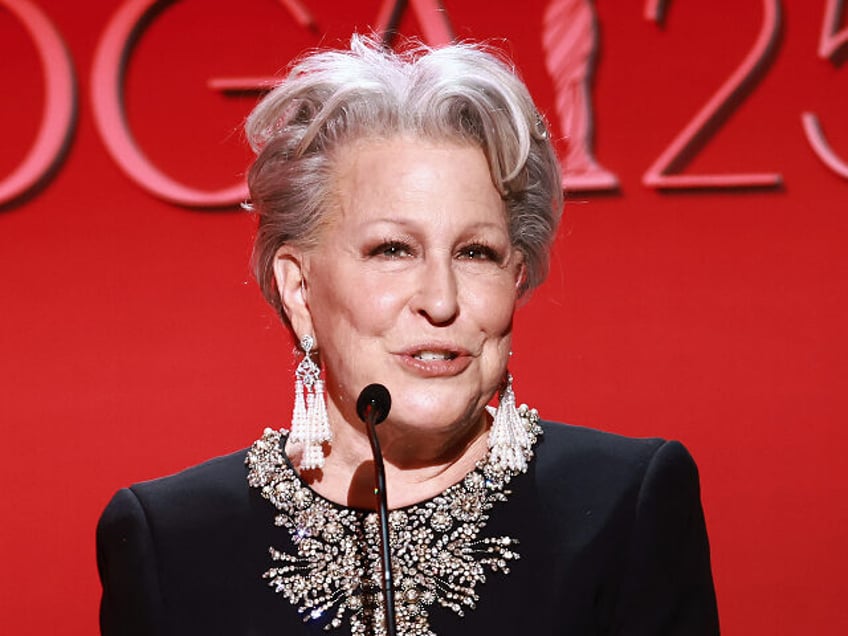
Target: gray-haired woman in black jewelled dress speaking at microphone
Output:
[(406, 203)]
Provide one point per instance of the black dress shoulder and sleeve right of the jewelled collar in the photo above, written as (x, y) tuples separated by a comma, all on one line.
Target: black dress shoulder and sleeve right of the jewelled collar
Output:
[(622, 517)]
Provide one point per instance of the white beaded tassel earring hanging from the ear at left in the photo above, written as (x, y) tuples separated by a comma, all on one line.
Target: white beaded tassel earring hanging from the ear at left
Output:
[(310, 426)]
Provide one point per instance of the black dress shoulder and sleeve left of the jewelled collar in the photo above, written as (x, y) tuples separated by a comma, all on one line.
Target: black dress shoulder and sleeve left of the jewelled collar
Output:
[(185, 551)]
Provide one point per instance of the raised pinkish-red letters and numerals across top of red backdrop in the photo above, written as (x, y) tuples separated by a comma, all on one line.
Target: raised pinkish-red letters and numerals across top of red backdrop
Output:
[(569, 36)]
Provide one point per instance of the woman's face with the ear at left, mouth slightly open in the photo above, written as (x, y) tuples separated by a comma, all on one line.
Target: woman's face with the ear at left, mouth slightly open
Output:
[(413, 283)]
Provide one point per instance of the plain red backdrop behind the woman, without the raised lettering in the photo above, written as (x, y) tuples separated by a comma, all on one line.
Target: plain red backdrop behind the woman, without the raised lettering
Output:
[(134, 343)]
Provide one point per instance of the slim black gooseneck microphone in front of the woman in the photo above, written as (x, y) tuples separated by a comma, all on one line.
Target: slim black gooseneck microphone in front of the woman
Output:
[(373, 407)]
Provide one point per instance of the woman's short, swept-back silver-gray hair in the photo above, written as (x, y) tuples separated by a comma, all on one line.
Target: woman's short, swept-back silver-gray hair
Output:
[(462, 92)]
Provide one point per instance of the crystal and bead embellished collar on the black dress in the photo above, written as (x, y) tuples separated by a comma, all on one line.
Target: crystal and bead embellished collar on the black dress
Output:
[(437, 552)]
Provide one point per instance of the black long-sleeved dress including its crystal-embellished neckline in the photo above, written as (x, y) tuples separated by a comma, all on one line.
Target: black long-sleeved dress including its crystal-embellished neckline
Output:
[(603, 535)]
